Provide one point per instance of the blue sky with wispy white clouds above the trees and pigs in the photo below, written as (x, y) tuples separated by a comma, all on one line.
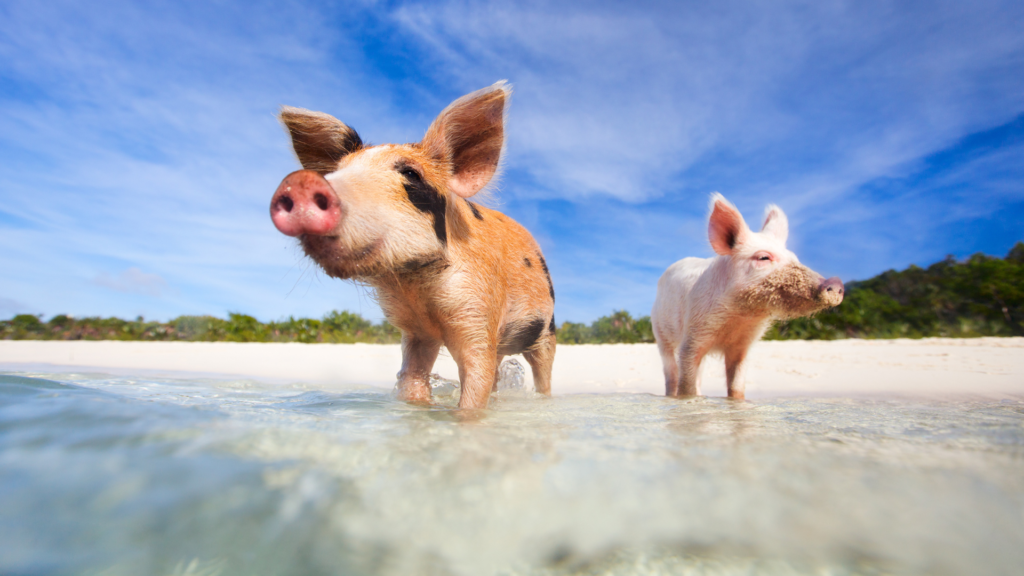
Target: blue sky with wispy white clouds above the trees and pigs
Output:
[(140, 149)]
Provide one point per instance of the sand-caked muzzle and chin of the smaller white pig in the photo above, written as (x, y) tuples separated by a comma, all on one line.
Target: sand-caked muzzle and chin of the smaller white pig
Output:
[(791, 292)]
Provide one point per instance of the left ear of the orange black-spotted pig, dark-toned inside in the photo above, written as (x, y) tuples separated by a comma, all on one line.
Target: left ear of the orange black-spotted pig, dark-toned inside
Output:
[(320, 140)]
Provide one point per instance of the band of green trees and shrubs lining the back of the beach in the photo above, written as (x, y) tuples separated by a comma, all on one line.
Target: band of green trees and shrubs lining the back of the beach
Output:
[(983, 297)]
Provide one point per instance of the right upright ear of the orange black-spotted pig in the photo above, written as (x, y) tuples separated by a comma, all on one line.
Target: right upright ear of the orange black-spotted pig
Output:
[(470, 135)]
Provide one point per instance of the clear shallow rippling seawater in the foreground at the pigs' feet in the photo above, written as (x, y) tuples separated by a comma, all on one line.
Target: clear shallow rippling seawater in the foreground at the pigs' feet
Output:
[(119, 476)]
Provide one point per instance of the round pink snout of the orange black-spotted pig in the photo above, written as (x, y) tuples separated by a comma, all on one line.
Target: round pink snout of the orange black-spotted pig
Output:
[(306, 203)]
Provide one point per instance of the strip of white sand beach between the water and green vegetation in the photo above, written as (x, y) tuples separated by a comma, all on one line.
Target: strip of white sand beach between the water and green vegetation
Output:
[(985, 367)]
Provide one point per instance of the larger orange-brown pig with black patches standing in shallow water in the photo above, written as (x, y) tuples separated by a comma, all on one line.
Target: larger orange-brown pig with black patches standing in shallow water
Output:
[(446, 271)]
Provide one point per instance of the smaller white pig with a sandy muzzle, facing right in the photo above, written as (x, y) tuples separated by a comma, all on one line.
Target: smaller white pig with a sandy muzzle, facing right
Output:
[(726, 304)]
